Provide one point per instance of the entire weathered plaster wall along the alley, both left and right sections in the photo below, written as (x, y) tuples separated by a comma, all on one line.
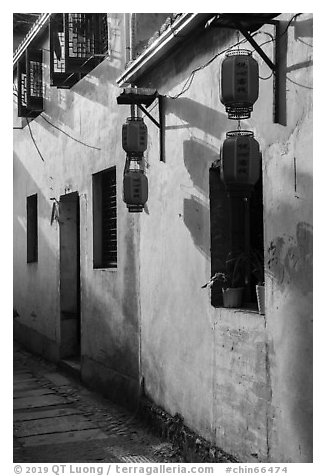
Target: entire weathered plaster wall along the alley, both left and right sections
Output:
[(239, 379)]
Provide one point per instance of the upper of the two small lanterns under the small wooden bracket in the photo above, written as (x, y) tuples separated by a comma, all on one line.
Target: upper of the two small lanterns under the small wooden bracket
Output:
[(134, 136)]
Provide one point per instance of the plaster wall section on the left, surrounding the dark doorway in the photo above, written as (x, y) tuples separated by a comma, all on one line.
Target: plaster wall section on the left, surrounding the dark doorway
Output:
[(109, 298)]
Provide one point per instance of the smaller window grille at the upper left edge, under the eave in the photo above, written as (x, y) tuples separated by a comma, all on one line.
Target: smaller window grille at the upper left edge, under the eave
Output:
[(30, 84)]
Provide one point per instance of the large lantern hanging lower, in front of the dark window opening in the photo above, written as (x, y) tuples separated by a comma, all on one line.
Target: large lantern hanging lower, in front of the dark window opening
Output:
[(240, 160)]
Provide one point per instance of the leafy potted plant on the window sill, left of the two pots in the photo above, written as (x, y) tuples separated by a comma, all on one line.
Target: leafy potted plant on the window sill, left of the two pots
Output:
[(232, 279)]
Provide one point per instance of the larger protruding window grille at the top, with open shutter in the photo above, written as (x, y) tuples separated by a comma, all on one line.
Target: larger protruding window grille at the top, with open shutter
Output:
[(78, 43)]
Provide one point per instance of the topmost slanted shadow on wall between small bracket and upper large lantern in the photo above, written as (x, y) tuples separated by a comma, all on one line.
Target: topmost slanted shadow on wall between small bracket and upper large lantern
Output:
[(198, 115)]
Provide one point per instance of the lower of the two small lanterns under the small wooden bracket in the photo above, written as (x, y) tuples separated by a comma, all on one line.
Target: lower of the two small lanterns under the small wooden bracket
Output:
[(135, 186)]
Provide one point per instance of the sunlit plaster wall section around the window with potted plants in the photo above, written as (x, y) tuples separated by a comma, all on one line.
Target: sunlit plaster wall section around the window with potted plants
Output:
[(241, 380)]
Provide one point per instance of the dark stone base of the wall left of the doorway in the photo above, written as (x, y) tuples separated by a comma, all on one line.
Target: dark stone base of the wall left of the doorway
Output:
[(36, 342)]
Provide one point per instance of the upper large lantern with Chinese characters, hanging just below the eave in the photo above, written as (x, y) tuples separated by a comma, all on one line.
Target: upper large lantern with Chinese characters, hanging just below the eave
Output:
[(239, 83)]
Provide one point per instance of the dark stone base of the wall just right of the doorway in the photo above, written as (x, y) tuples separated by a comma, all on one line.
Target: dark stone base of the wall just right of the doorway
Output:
[(116, 387)]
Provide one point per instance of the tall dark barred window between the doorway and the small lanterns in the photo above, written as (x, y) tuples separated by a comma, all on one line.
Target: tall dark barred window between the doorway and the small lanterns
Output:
[(105, 219)]
